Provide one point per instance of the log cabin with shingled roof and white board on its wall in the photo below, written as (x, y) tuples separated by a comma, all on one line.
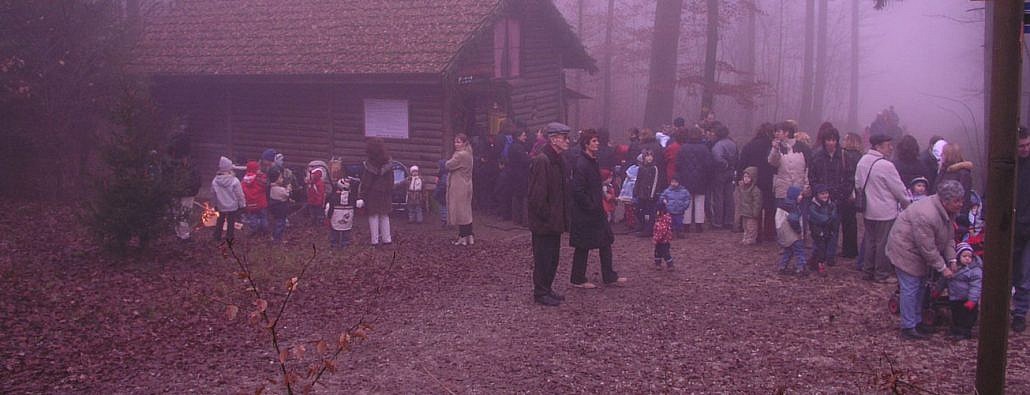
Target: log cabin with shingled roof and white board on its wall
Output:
[(315, 79)]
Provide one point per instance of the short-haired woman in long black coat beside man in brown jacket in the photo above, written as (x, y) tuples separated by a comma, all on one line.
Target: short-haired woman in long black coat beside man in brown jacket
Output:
[(590, 228)]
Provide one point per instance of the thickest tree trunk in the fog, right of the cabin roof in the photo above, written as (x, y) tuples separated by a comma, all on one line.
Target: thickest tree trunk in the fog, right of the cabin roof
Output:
[(662, 79)]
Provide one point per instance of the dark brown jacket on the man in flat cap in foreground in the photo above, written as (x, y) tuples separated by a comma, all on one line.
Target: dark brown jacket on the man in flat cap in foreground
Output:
[(547, 200)]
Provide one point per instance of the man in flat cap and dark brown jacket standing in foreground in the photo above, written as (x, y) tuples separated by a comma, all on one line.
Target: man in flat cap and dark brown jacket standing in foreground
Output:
[(548, 212)]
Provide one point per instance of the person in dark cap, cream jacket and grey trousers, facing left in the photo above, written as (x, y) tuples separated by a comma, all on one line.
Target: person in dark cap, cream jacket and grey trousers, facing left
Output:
[(884, 192)]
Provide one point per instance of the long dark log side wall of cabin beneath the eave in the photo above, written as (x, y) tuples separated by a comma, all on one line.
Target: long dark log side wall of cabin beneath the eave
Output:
[(304, 122)]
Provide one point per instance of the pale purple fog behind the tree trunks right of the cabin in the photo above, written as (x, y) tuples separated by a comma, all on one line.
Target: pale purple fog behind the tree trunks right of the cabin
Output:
[(925, 58)]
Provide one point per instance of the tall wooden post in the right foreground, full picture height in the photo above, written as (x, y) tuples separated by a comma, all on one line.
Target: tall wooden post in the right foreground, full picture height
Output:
[(1005, 29)]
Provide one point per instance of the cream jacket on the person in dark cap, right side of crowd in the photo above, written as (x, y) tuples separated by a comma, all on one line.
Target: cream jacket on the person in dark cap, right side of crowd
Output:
[(885, 191)]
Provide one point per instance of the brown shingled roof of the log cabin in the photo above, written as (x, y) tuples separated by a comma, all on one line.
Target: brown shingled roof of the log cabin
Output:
[(303, 38)]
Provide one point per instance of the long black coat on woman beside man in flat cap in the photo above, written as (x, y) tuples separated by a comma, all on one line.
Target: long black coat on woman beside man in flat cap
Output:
[(589, 222)]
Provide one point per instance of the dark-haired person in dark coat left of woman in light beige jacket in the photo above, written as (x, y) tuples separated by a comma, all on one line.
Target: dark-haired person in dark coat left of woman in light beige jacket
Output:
[(756, 154)]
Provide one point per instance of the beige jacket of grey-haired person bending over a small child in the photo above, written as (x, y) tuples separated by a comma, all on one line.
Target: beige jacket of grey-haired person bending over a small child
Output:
[(923, 238)]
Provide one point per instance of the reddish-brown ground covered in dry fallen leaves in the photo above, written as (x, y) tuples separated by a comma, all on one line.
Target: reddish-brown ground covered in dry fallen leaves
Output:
[(450, 319)]
